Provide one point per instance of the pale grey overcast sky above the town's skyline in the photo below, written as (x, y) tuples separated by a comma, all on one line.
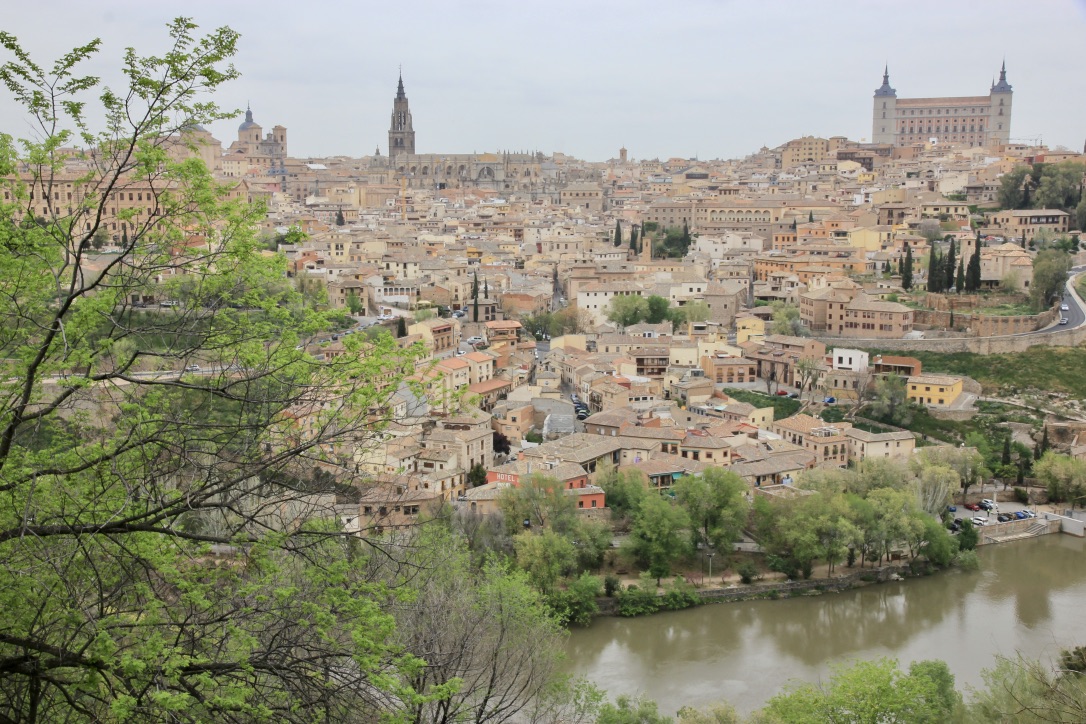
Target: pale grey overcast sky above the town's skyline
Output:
[(712, 79)]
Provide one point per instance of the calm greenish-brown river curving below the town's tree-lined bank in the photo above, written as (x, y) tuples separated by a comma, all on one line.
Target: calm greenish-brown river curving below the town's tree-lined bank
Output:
[(1027, 598)]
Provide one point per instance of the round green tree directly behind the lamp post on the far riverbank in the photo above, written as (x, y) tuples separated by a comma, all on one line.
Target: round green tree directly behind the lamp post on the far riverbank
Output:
[(716, 503)]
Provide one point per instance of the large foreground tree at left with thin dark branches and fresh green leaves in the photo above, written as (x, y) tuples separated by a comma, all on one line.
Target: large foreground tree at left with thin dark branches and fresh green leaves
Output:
[(118, 507)]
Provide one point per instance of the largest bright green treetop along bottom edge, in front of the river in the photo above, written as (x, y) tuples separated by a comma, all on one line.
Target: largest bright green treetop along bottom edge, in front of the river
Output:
[(872, 693)]
